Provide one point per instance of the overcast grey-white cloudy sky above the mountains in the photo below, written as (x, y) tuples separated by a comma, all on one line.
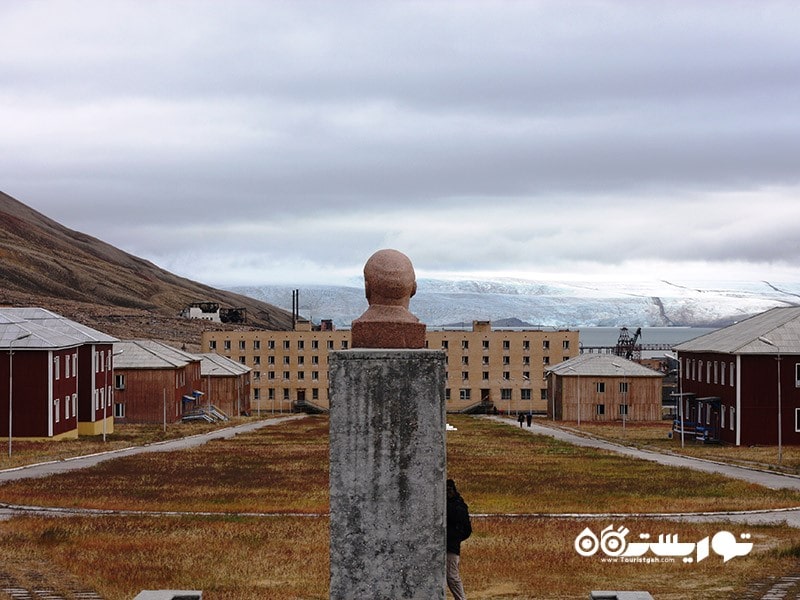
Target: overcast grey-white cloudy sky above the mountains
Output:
[(256, 142)]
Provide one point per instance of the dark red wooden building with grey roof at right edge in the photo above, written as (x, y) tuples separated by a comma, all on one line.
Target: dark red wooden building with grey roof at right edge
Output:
[(738, 383)]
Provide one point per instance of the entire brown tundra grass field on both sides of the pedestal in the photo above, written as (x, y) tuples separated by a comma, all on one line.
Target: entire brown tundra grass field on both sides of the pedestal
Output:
[(283, 471)]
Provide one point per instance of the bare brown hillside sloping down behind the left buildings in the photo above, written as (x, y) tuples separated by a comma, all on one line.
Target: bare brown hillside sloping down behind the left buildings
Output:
[(43, 263)]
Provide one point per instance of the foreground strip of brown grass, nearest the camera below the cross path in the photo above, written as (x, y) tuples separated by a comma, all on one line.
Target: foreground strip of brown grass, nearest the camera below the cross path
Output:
[(287, 558)]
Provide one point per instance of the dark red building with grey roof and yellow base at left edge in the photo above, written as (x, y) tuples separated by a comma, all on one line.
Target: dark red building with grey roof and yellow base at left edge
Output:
[(59, 374)]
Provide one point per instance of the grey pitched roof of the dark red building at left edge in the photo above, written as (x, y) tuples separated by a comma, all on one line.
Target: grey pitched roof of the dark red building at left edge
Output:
[(44, 330)]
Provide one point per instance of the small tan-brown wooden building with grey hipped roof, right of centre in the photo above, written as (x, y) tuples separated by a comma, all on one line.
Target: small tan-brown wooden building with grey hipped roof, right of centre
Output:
[(604, 387)]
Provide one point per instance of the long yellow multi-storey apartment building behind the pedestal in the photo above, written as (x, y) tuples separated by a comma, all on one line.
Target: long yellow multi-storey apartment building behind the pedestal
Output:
[(500, 369)]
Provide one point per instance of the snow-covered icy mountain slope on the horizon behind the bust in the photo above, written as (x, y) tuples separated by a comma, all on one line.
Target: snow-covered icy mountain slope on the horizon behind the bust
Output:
[(549, 304)]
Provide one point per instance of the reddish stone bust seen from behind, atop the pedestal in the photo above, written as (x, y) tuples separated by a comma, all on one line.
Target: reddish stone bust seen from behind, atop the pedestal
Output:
[(389, 284)]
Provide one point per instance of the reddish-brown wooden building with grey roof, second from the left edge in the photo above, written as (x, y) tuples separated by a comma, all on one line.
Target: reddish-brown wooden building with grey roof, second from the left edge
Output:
[(154, 382)]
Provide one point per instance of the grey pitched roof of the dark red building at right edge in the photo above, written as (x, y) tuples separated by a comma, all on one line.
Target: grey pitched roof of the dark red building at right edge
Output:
[(781, 326)]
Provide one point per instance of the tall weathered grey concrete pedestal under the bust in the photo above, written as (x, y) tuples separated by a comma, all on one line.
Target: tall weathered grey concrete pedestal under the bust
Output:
[(387, 474)]
